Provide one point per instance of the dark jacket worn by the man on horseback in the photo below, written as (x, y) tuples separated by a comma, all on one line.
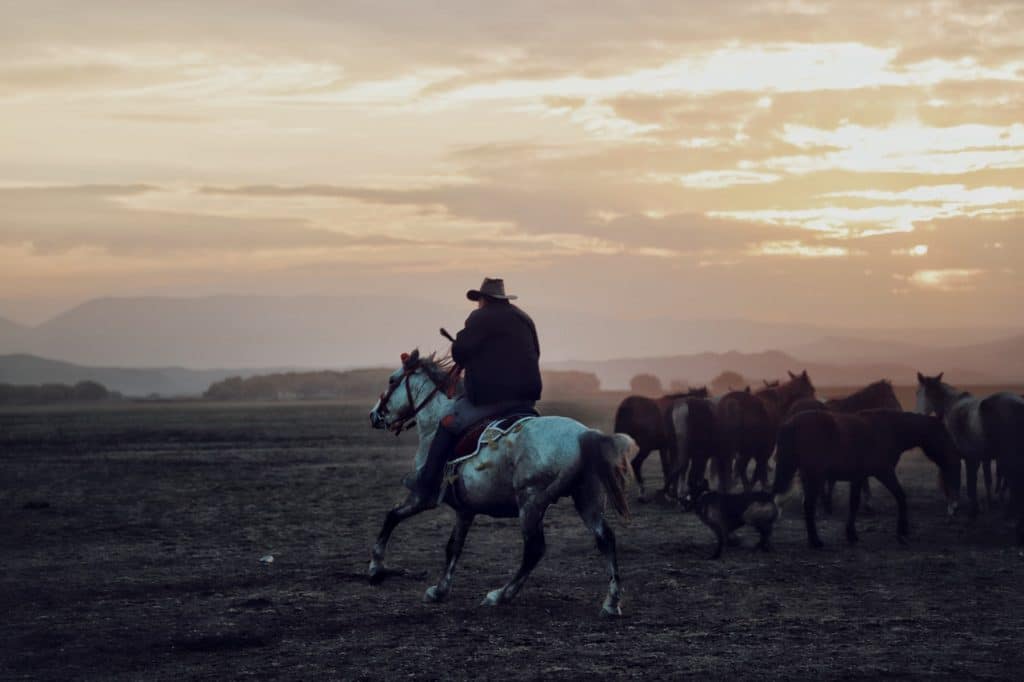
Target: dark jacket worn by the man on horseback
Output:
[(501, 355)]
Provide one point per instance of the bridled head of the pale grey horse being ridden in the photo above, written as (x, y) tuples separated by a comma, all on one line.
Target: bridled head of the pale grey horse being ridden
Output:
[(410, 389)]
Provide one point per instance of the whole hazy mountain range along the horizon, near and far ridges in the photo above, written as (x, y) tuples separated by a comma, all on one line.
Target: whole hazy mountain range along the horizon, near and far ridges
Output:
[(196, 342)]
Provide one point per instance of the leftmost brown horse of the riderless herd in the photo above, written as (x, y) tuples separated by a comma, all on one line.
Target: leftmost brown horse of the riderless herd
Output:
[(649, 421)]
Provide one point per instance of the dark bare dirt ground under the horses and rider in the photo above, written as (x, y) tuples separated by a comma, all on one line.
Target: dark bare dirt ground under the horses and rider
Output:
[(132, 539)]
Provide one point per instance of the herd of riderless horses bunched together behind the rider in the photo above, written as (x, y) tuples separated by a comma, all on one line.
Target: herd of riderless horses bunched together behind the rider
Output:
[(851, 439)]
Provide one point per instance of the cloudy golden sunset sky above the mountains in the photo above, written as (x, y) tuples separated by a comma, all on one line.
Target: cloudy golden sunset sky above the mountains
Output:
[(841, 163)]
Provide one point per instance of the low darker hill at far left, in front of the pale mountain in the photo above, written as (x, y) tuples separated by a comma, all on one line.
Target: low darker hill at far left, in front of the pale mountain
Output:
[(31, 370)]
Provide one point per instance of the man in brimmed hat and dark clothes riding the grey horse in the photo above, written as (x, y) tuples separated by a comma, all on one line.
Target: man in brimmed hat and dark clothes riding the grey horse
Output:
[(500, 354)]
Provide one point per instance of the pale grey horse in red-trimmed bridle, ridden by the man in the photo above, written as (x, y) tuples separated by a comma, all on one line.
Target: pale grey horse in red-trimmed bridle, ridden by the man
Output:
[(527, 472)]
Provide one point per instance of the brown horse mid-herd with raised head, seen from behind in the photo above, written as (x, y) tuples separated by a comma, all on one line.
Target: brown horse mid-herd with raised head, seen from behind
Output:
[(748, 423)]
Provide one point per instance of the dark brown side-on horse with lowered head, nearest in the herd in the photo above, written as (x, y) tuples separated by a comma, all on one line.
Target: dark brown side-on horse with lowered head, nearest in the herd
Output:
[(827, 445)]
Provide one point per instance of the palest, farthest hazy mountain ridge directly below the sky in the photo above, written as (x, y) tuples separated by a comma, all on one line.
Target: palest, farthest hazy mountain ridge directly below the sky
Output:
[(317, 332)]
